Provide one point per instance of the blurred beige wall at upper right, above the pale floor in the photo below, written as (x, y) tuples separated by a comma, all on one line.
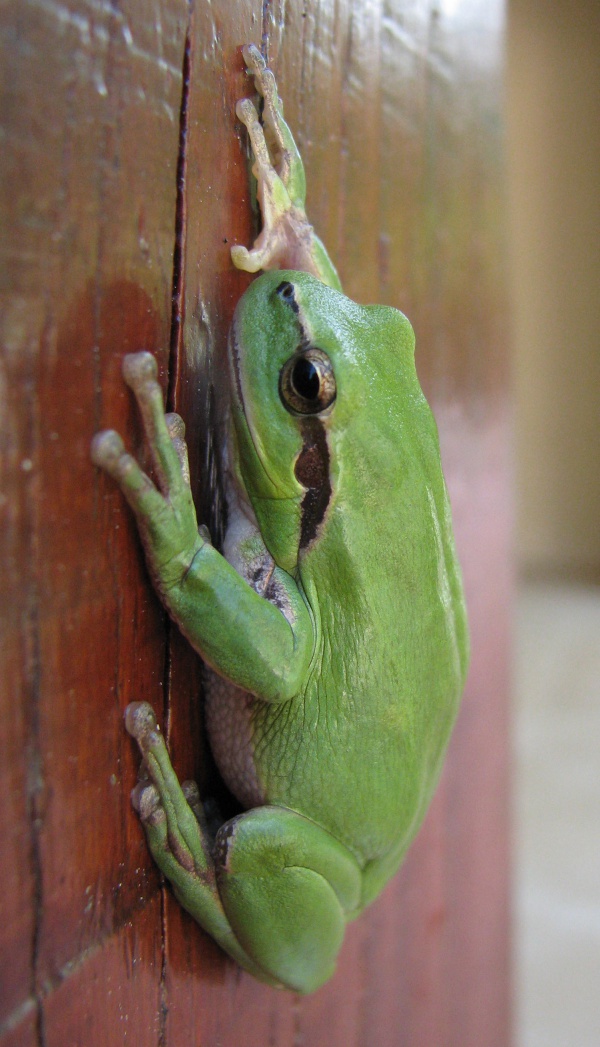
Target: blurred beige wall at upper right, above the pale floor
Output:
[(553, 87)]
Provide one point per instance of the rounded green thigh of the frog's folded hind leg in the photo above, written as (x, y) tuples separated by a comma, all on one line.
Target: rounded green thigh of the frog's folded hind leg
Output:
[(288, 888)]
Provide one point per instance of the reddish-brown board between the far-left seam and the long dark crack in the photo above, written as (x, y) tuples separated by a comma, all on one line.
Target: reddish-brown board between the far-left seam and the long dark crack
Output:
[(101, 629)]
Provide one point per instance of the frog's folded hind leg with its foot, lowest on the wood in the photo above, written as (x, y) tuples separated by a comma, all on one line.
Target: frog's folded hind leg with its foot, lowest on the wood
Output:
[(274, 889)]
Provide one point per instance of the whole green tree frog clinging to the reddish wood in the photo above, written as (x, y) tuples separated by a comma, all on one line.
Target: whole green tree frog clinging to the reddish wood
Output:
[(336, 618)]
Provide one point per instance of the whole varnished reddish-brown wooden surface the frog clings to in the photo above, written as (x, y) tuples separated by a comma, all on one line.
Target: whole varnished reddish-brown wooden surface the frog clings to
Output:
[(125, 182)]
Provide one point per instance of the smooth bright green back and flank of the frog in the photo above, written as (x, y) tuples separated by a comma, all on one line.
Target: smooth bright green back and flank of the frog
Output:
[(363, 745)]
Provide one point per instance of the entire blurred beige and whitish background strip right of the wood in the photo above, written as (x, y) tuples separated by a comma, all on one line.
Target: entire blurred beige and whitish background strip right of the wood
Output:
[(553, 152)]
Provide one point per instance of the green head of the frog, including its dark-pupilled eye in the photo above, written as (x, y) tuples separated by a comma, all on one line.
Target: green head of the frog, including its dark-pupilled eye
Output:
[(308, 368)]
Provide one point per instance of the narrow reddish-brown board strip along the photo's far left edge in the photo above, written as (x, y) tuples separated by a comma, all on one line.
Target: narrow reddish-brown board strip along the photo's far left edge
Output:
[(20, 661)]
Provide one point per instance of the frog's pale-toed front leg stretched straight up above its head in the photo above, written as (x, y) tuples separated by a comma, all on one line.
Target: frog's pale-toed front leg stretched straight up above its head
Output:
[(287, 240)]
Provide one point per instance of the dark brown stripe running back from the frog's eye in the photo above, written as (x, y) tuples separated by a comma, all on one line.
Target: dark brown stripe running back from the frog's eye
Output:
[(313, 472)]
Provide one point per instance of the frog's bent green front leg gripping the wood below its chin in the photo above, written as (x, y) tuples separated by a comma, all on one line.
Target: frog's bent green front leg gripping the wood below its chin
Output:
[(241, 635)]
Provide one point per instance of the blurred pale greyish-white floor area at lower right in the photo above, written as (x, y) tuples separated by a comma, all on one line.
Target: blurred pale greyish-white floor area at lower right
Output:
[(558, 816)]
